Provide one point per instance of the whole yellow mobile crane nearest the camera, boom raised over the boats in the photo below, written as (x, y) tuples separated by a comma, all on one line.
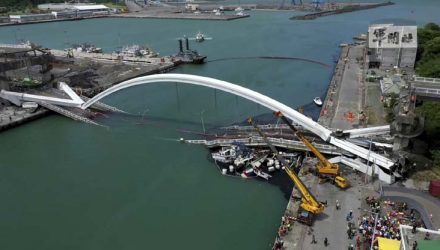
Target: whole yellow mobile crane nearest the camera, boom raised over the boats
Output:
[(309, 206)]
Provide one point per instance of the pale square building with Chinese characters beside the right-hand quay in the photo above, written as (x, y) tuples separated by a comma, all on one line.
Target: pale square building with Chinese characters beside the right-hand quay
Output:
[(391, 46)]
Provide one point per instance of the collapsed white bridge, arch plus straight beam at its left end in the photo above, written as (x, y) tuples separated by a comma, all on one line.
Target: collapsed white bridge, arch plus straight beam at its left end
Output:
[(384, 169)]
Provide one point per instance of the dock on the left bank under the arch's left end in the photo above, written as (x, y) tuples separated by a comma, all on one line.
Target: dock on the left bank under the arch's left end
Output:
[(89, 73)]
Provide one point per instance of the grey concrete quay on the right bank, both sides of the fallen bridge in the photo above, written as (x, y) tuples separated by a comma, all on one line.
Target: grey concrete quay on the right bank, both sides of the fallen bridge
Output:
[(348, 94)]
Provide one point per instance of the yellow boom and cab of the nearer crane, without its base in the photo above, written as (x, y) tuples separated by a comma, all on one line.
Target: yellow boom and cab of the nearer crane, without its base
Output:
[(308, 201)]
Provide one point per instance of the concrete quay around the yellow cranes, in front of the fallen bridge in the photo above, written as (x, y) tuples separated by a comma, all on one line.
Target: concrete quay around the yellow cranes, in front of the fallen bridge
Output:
[(331, 223)]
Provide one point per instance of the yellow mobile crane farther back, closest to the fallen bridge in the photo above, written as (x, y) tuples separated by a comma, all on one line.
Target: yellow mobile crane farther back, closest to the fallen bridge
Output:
[(325, 169)]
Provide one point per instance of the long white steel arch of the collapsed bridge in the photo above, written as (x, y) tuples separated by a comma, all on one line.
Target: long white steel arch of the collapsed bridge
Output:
[(251, 95)]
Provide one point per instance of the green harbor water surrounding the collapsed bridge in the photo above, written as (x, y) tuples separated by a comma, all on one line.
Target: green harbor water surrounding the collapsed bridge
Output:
[(68, 185)]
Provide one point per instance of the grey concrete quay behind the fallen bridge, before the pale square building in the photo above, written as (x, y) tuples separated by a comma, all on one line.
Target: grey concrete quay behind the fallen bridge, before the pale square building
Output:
[(349, 96)]
